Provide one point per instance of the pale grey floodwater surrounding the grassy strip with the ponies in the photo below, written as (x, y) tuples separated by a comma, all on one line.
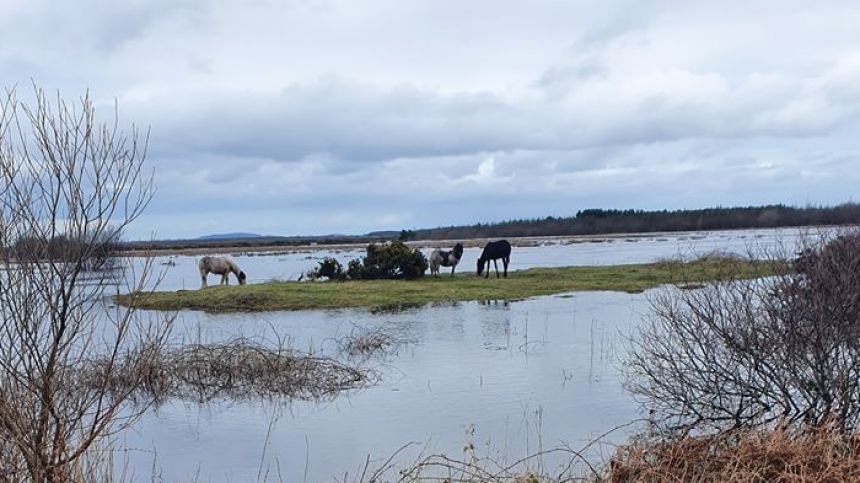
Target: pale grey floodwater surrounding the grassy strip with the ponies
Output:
[(507, 377)]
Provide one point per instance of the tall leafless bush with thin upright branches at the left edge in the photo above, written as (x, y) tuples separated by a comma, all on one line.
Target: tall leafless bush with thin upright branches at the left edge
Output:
[(64, 176)]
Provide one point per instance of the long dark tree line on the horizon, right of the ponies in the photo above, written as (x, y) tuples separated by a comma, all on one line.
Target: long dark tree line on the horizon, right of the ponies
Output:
[(599, 221)]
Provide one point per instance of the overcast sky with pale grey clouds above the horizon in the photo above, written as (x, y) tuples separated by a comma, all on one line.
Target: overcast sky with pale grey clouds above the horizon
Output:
[(318, 116)]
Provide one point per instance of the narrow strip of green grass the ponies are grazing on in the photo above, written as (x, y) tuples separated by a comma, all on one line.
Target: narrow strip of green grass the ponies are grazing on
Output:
[(390, 293)]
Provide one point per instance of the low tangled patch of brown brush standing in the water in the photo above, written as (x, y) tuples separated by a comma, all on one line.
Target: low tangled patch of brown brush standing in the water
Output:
[(235, 369)]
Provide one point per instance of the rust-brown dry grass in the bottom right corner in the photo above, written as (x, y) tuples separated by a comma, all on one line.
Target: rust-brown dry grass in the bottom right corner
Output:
[(779, 455)]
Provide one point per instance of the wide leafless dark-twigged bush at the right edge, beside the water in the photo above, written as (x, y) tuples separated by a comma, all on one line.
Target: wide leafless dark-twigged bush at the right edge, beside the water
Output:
[(744, 353)]
